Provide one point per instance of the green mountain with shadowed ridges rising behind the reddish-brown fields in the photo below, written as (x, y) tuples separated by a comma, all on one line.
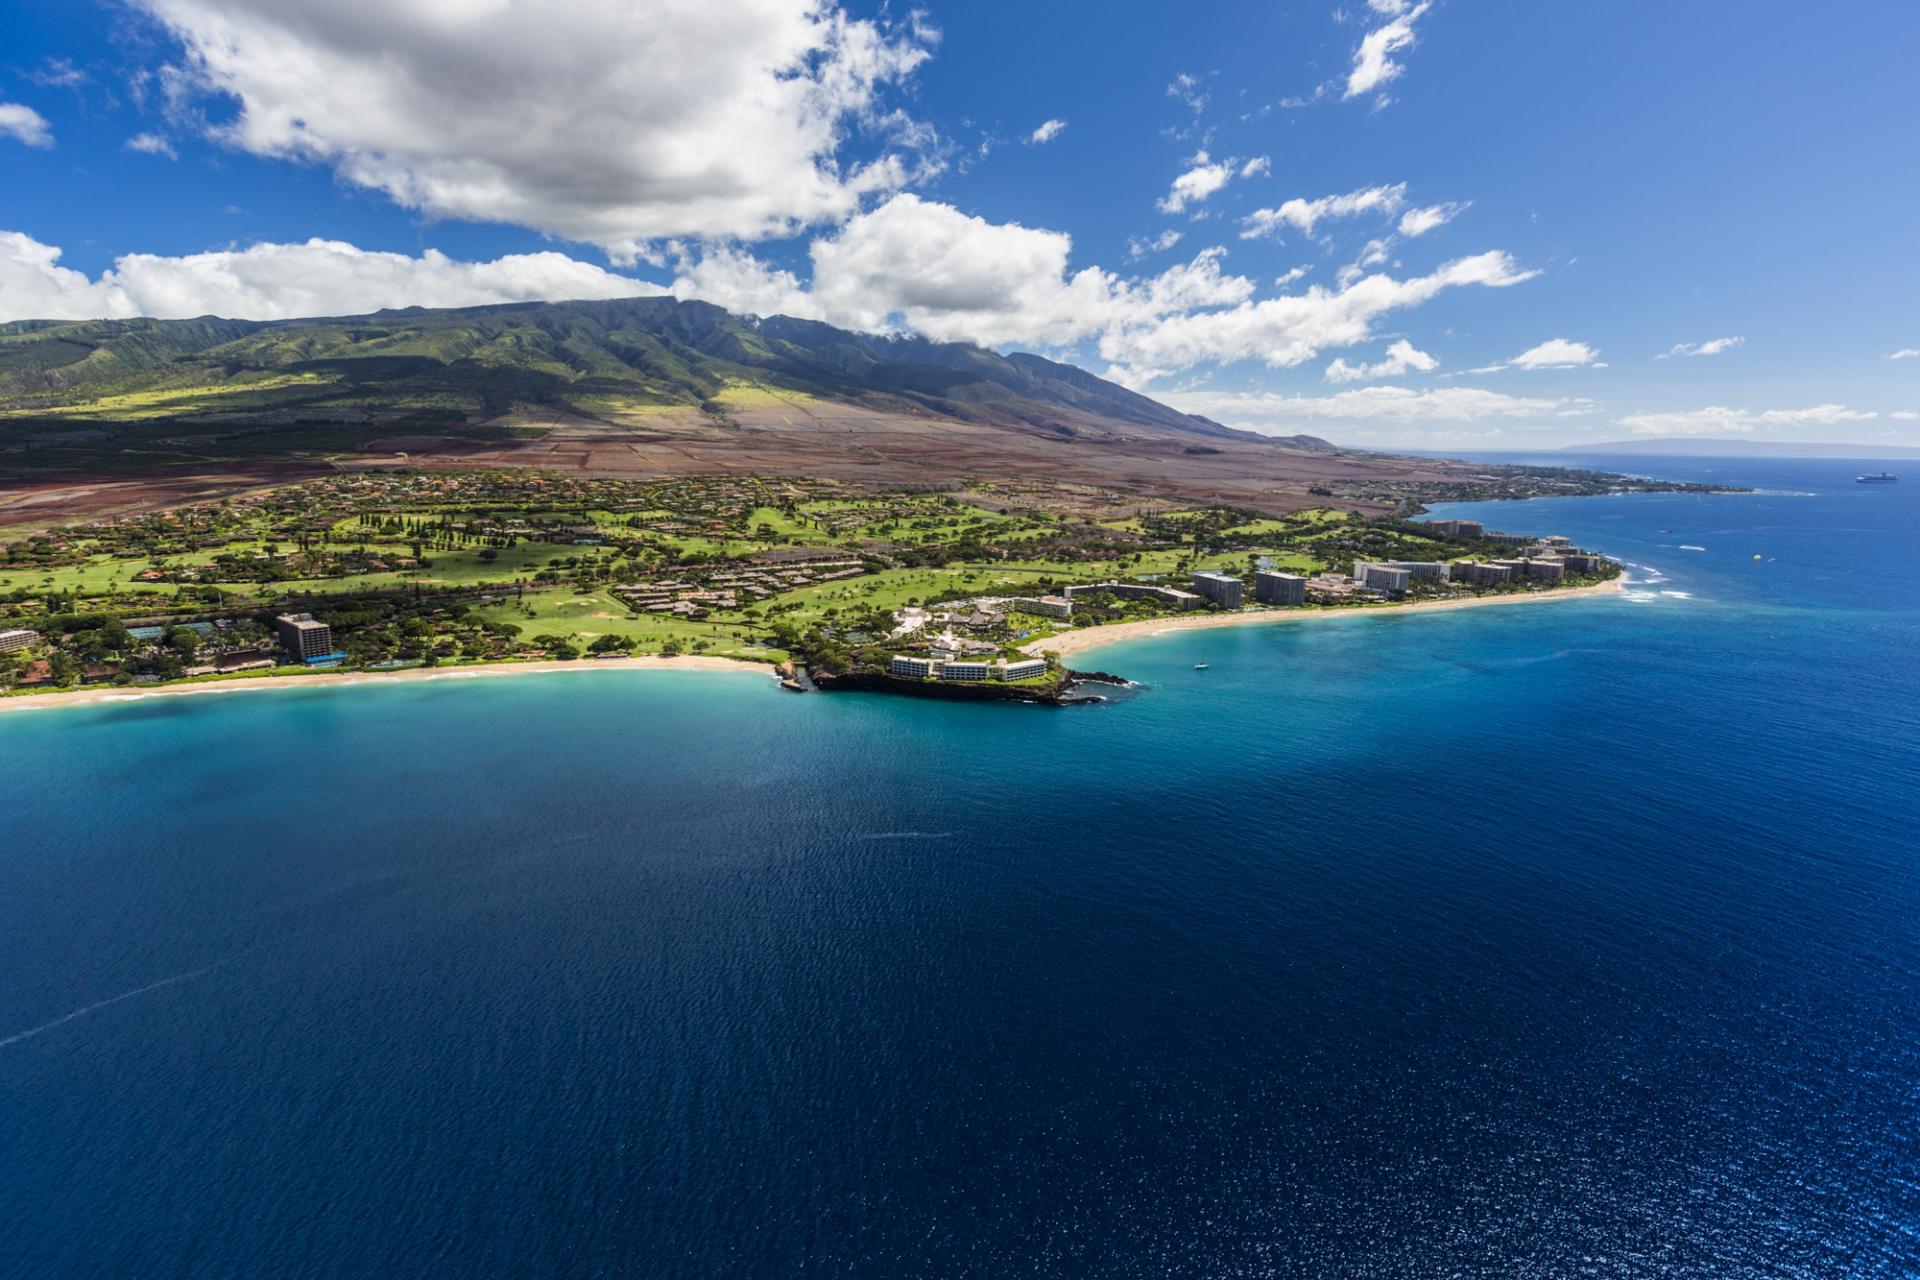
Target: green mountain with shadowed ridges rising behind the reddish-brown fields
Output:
[(587, 358)]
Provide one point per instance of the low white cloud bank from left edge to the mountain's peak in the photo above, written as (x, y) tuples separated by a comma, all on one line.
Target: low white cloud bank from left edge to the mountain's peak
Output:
[(281, 281)]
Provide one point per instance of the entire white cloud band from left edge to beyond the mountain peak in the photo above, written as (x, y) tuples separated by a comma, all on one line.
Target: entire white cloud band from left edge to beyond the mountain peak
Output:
[(909, 266)]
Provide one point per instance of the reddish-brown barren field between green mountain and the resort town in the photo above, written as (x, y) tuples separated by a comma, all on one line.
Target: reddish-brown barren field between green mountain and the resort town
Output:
[(796, 439)]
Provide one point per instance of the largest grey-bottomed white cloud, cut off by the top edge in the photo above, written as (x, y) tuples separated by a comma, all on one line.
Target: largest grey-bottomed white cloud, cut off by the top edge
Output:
[(604, 122)]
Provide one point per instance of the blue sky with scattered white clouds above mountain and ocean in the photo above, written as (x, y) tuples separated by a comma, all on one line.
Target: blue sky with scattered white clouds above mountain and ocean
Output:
[(1406, 224)]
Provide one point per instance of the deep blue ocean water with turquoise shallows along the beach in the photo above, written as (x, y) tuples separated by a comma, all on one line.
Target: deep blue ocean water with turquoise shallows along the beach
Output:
[(1570, 939)]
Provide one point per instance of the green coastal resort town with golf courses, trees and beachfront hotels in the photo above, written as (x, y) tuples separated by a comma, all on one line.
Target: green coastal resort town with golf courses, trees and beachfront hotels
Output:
[(844, 586)]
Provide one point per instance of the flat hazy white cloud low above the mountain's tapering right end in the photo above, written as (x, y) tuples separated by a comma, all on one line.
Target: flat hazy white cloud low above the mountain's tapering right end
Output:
[(1381, 408)]
